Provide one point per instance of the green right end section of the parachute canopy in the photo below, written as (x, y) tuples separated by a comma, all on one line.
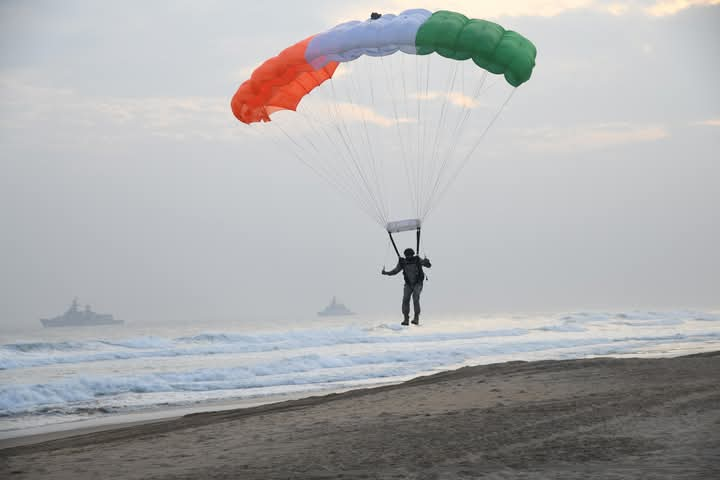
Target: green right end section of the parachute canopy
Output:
[(500, 51)]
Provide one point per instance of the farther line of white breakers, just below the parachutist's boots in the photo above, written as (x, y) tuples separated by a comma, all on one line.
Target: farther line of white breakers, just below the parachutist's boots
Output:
[(36, 354)]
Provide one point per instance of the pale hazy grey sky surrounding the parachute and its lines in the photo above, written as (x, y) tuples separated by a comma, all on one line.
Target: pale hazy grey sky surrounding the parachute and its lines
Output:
[(125, 179)]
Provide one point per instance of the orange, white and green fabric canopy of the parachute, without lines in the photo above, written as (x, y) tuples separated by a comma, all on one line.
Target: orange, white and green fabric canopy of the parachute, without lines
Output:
[(281, 82)]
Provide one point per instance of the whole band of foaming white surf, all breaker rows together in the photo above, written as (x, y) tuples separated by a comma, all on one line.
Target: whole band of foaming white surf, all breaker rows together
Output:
[(259, 364)]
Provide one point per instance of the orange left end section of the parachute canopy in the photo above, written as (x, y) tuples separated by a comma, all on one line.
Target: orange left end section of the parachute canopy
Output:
[(279, 84)]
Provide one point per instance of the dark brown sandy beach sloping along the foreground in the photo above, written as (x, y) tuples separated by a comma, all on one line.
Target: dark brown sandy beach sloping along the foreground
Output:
[(598, 418)]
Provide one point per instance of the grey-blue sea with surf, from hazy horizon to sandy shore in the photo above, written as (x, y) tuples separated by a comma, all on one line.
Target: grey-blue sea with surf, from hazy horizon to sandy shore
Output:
[(66, 378)]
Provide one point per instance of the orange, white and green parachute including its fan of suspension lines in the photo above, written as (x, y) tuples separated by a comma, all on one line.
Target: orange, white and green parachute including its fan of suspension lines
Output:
[(383, 107)]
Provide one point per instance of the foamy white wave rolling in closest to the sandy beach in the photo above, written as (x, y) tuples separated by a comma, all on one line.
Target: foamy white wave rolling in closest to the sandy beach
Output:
[(307, 369)]
